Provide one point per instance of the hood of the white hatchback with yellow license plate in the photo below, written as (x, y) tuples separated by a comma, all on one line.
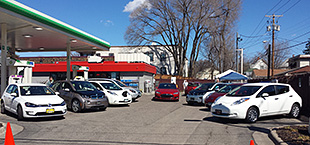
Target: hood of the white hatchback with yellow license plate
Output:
[(43, 99)]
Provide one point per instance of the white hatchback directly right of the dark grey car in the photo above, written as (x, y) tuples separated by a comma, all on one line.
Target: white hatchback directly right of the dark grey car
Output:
[(114, 93)]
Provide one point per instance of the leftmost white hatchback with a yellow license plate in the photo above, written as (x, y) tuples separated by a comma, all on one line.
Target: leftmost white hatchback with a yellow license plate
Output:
[(32, 100)]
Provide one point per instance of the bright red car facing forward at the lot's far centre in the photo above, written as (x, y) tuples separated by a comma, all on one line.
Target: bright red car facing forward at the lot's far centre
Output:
[(167, 91)]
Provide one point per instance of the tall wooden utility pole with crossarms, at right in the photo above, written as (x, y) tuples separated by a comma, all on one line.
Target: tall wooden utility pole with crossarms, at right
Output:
[(277, 28)]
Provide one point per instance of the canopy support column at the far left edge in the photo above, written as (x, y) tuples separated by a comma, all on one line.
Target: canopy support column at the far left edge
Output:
[(4, 52)]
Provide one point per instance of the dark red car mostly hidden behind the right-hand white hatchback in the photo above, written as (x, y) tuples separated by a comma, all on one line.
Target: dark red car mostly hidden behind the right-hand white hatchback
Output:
[(212, 97)]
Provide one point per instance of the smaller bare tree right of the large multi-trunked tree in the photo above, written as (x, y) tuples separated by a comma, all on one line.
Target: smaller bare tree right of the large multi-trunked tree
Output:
[(219, 49)]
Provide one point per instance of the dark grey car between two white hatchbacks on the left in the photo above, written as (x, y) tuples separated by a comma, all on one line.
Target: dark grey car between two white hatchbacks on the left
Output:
[(80, 95)]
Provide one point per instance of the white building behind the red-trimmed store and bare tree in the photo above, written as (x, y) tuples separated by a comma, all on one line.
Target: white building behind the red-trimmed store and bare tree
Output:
[(152, 54)]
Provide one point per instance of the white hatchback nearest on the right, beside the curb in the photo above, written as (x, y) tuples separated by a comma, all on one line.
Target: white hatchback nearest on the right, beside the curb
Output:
[(255, 100)]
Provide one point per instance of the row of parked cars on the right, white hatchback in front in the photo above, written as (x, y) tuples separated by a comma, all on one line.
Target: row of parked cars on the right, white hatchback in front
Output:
[(247, 101)]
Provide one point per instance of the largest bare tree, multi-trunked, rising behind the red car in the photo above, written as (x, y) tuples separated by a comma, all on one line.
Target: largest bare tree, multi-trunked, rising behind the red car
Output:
[(181, 26)]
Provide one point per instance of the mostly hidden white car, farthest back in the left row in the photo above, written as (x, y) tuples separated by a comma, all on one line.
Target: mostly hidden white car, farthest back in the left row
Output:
[(135, 94)]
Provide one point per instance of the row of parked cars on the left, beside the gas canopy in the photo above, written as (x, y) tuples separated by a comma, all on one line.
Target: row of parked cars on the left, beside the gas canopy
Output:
[(39, 100)]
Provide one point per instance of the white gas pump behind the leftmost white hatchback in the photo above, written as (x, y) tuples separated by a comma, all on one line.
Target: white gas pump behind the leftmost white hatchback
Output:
[(20, 71)]
